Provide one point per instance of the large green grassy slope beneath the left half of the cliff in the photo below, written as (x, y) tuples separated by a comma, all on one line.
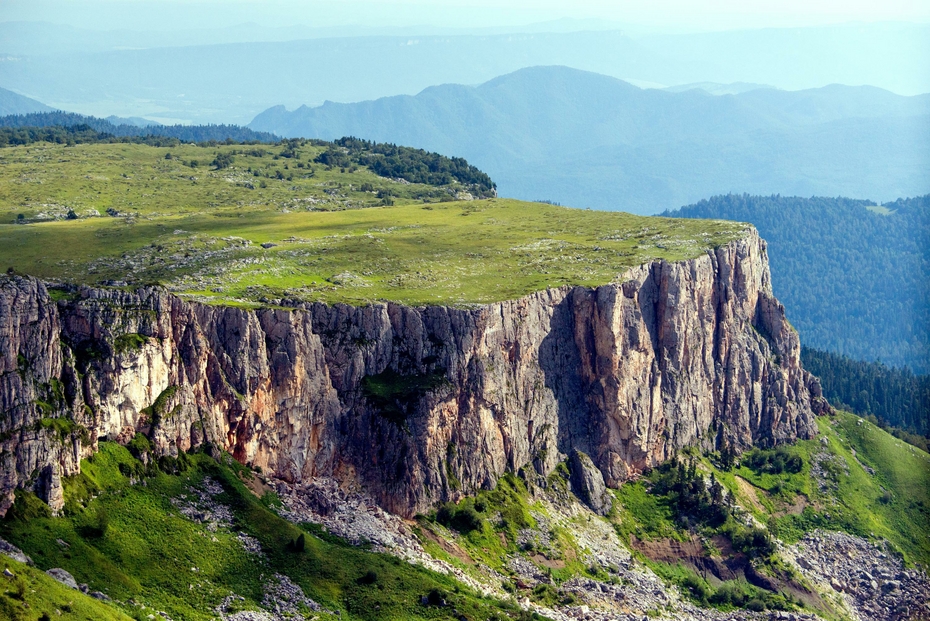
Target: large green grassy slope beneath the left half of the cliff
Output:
[(150, 553)]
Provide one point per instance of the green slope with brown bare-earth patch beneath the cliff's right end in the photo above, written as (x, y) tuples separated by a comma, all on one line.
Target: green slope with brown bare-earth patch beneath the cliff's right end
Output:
[(854, 478)]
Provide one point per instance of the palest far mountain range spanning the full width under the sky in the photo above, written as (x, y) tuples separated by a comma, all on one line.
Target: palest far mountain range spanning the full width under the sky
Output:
[(230, 74)]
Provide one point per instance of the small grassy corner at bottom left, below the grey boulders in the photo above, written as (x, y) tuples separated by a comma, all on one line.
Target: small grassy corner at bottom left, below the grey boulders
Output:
[(31, 594)]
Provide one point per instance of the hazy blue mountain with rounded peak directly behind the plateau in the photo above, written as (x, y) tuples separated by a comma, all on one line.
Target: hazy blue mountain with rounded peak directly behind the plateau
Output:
[(589, 140)]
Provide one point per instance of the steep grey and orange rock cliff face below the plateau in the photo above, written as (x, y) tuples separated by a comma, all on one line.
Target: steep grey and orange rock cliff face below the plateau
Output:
[(417, 405)]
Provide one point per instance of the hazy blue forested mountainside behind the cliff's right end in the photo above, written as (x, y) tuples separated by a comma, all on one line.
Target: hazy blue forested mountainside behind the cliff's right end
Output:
[(855, 277)]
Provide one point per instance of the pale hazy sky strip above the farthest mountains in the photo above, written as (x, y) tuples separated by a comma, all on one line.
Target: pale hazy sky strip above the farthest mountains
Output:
[(675, 15)]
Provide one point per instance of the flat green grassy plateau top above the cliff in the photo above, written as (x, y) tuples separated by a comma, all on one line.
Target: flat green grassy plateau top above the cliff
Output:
[(331, 233)]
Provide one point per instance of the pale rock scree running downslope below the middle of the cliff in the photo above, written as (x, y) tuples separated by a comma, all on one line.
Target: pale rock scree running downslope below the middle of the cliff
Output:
[(629, 593)]
